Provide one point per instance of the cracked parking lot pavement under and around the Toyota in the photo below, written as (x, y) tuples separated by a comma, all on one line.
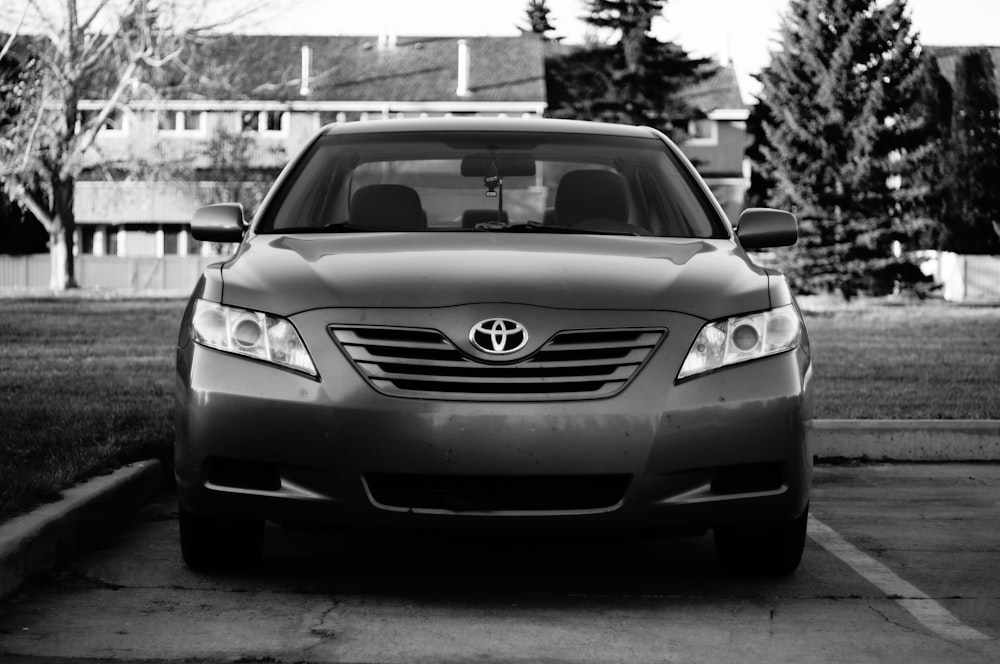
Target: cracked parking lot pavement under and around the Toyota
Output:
[(902, 564)]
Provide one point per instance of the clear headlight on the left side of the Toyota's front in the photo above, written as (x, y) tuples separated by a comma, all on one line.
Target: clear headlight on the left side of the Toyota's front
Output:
[(251, 333)]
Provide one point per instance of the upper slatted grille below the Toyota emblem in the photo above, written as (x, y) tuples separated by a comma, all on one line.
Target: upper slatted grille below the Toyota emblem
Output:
[(410, 362)]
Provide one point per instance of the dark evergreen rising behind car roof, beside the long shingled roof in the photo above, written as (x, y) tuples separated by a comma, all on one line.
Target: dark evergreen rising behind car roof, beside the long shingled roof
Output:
[(634, 80)]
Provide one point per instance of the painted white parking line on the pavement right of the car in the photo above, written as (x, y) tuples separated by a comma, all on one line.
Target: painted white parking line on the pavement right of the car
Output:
[(929, 612)]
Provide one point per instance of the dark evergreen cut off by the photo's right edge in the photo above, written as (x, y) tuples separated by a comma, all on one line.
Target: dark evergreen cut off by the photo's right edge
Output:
[(970, 219)]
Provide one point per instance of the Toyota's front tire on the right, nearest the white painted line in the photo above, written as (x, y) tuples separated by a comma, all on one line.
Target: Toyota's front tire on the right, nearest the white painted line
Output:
[(773, 549)]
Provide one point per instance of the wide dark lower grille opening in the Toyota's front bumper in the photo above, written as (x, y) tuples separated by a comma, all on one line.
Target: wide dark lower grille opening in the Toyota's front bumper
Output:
[(497, 493)]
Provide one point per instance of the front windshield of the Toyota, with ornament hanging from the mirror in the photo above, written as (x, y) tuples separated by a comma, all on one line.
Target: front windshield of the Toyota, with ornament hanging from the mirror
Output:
[(468, 181)]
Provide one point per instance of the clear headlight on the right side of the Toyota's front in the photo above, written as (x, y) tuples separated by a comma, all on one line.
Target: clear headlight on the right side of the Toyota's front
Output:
[(741, 339)]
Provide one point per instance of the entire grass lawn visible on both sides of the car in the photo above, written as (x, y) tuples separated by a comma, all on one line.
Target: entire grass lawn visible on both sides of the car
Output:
[(86, 385)]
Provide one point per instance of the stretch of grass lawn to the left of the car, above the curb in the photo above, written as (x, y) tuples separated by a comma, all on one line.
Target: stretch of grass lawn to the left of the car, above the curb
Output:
[(86, 386)]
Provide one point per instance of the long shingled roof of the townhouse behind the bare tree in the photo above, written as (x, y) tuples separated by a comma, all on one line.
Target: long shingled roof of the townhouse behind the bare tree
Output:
[(349, 68)]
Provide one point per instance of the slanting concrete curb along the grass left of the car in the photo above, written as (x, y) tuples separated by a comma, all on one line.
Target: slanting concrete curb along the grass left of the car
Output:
[(37, 541)]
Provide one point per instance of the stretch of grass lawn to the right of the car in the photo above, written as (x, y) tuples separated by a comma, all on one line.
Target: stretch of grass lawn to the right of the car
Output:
[(923, 361)]
